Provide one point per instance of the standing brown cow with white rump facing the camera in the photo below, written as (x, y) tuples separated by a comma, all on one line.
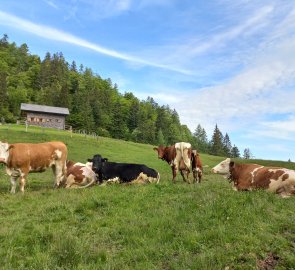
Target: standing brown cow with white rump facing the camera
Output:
[(178, 156)]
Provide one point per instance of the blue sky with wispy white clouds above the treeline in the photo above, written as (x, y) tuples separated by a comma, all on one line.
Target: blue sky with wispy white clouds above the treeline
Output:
[(224, 62)]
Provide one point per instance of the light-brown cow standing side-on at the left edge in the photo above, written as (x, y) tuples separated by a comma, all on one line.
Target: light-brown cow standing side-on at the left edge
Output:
[(22, 158)]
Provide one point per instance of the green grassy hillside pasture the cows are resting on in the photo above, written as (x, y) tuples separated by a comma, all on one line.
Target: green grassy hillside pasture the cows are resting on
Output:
[(164, 226)]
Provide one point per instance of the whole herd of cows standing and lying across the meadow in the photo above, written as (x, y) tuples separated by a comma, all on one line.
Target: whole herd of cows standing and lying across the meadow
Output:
[(22, 158)]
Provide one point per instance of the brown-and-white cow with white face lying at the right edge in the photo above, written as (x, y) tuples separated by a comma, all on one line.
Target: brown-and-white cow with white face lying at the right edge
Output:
[(253, 176)]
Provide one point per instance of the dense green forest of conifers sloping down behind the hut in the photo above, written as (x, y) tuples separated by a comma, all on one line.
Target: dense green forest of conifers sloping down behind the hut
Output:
[(95, 104)]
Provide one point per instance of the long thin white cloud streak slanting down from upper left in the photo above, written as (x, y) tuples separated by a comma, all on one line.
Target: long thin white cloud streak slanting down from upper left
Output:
[(54, 34)]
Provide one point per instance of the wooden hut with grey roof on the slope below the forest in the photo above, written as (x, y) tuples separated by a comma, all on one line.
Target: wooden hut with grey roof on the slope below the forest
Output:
[(44, 116)]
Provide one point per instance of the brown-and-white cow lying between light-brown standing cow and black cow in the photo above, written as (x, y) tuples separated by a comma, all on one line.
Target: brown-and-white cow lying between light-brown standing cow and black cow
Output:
[(79, 175)]
